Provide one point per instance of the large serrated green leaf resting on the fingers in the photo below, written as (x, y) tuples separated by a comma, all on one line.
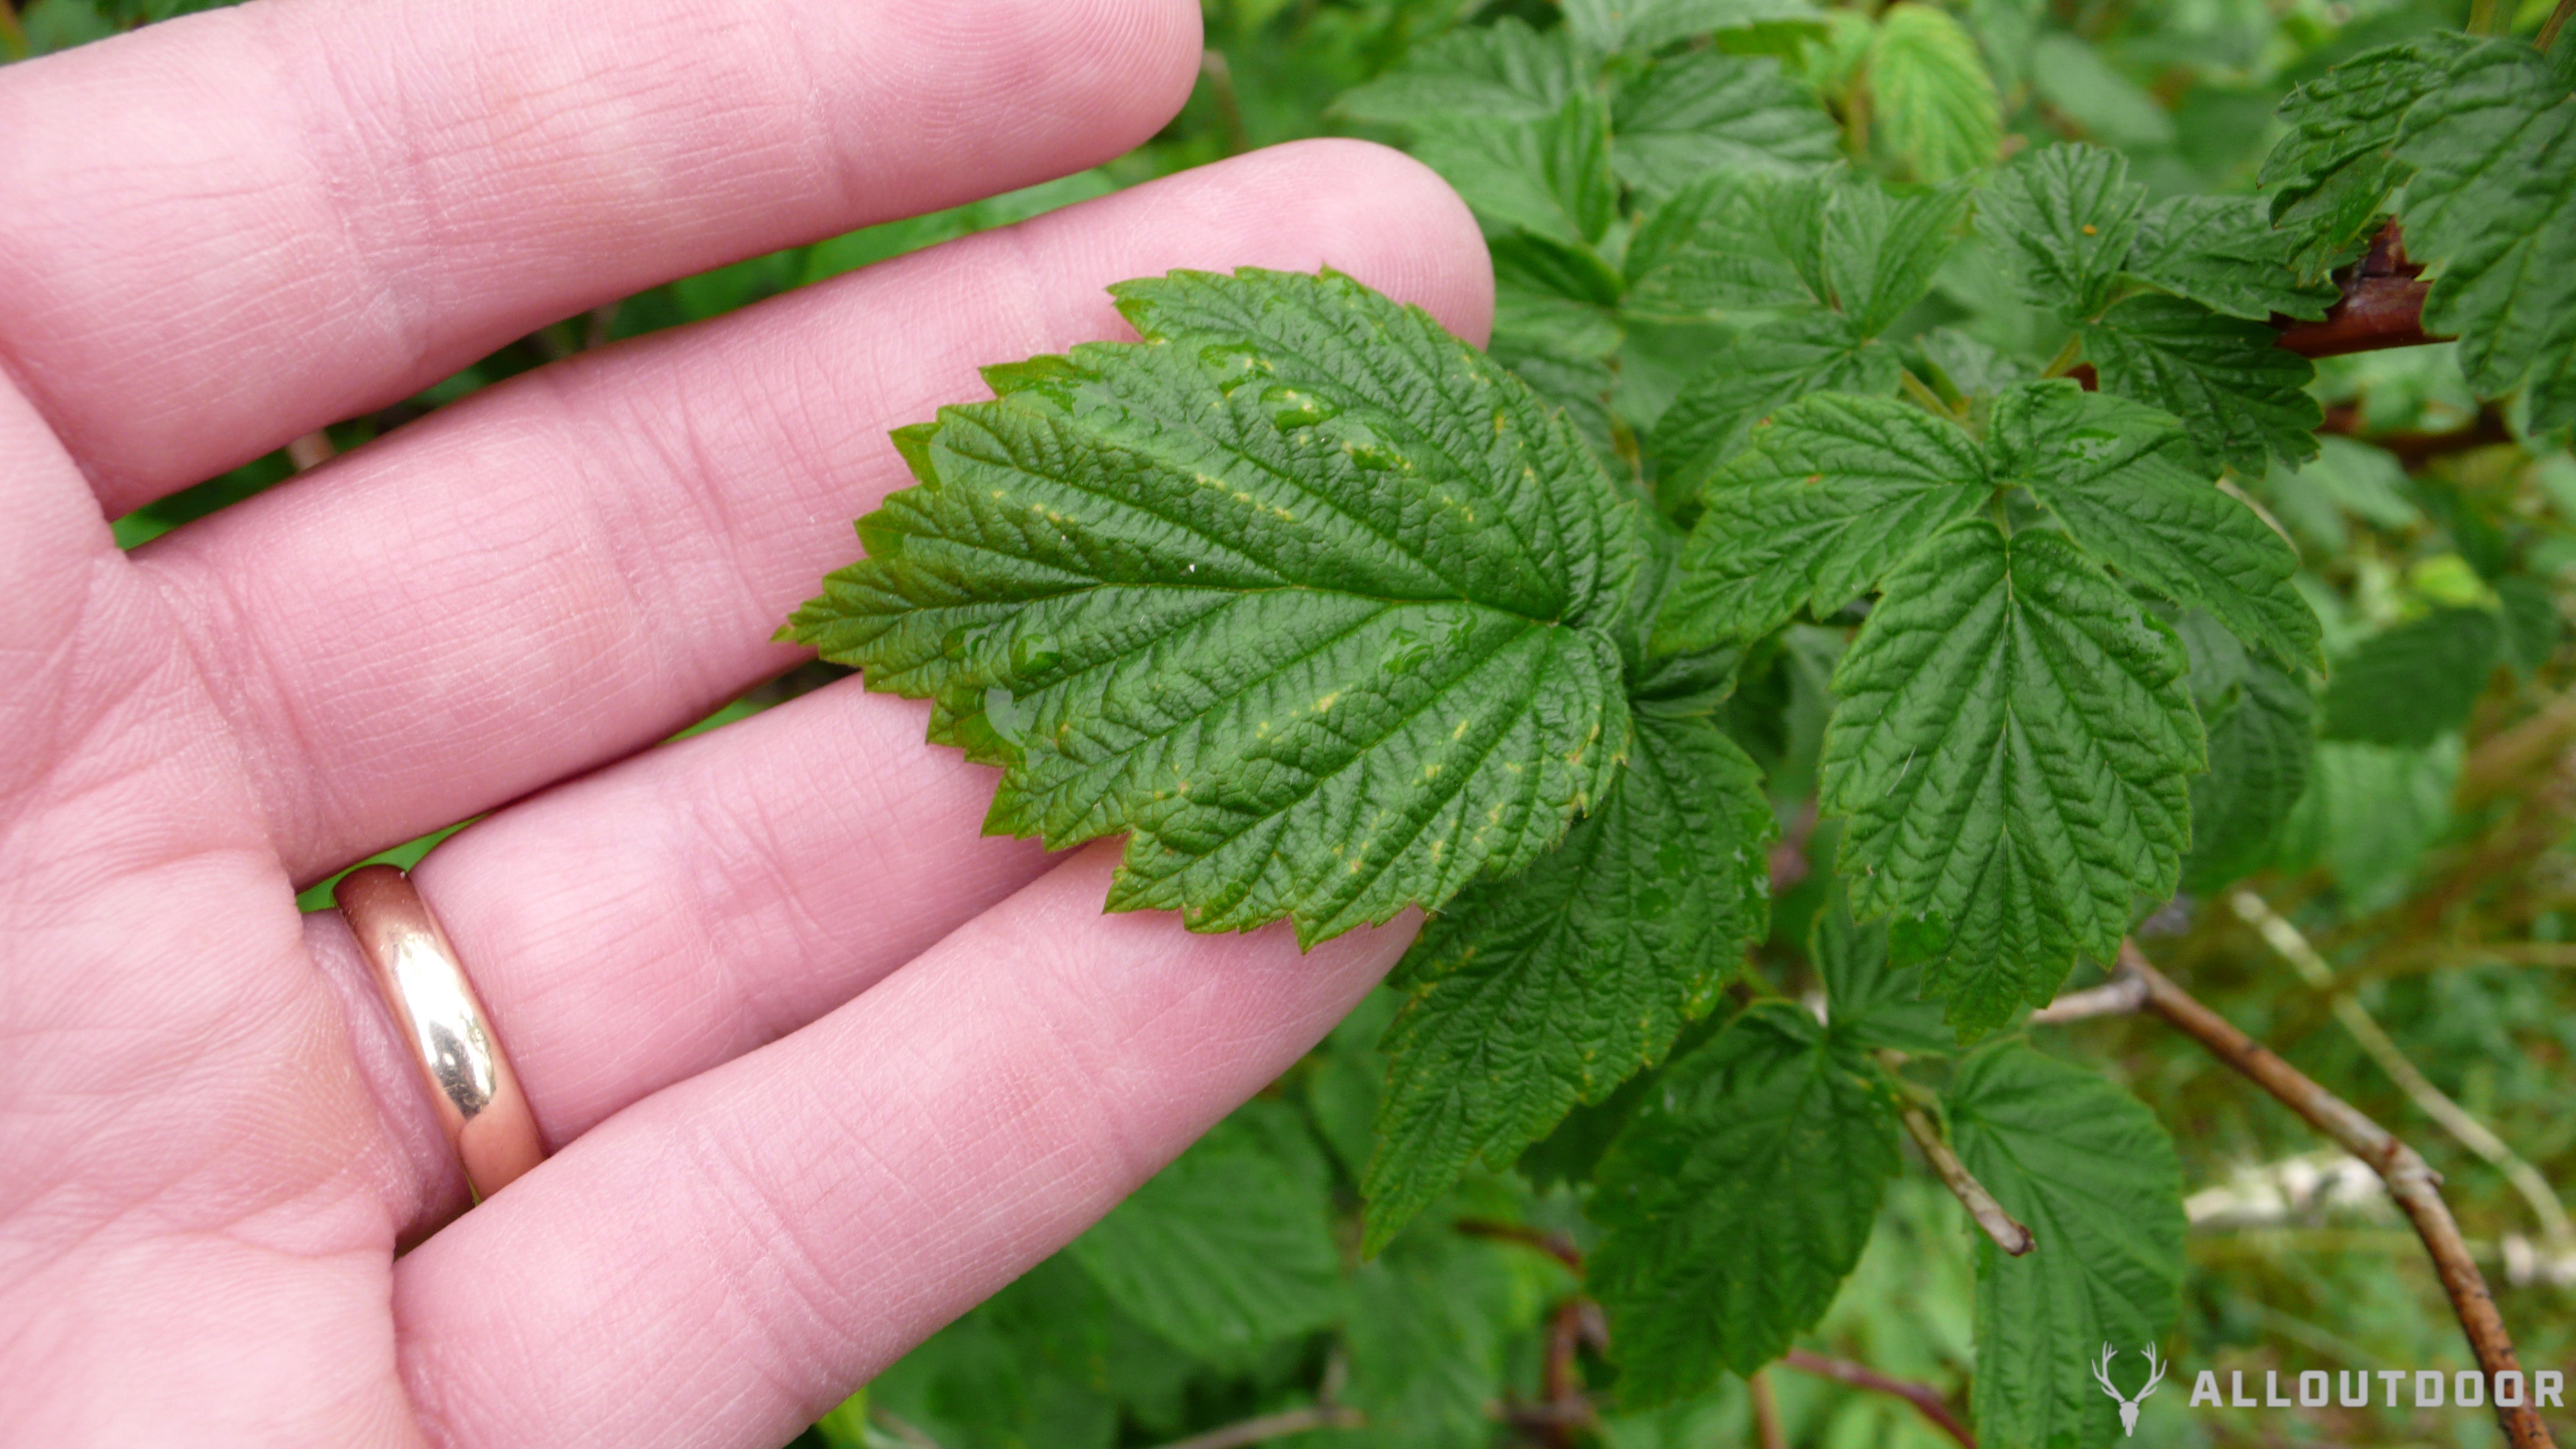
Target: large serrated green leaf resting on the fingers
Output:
[(1305, 594)]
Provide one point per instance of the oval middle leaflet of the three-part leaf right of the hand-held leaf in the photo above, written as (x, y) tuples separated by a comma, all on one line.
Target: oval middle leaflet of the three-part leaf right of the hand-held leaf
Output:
[(2011, 754)]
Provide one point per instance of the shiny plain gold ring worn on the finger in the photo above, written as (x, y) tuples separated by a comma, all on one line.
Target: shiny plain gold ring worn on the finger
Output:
[(452, 1038)]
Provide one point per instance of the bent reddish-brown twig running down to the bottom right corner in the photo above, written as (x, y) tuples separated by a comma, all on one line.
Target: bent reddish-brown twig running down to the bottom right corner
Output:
[(2412, 1185)]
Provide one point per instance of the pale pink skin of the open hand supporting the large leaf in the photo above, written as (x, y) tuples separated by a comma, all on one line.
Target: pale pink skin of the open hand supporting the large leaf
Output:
[(818, 1064)]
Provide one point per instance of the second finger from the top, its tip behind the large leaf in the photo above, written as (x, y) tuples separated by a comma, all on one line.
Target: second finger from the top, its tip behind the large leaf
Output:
[(576, 563)]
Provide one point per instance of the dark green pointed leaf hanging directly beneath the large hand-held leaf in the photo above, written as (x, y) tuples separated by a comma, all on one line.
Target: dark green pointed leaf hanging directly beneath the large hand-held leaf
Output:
[(1560, 984)]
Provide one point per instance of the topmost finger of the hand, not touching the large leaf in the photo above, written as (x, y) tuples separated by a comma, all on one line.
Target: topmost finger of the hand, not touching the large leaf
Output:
[(223, 233)]
